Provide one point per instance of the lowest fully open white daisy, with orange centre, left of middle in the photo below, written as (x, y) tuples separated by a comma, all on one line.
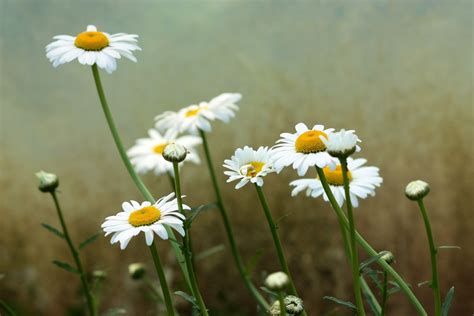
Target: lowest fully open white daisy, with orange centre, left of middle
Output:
[(146, 218)]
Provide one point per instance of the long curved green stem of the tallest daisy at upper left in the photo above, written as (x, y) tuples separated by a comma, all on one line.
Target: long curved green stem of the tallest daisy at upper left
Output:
[(136, 179)]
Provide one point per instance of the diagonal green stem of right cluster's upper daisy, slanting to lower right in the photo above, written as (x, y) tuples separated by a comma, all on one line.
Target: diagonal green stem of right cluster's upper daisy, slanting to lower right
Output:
[(371, 251)]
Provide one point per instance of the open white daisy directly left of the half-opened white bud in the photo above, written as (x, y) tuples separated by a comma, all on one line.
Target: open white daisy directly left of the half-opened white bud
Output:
[(303, 149)]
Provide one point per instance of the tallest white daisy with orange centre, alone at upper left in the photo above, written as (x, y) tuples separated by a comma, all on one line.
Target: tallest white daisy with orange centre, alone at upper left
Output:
[(92, 47)]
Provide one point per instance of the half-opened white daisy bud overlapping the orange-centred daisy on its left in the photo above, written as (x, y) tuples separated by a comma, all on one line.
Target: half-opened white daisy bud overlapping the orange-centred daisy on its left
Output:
[(342, 143)]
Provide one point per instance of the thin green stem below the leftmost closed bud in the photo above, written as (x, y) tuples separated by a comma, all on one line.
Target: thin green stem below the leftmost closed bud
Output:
[(85, 285)]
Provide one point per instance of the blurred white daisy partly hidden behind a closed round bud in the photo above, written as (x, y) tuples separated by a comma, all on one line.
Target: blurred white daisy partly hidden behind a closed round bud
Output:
[(147, 153)]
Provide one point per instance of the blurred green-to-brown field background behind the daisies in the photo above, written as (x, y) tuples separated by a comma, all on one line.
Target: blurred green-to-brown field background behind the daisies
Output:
[(398, 72)]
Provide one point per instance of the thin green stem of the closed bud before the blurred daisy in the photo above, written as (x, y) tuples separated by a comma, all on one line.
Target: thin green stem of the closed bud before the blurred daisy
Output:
[(186, 249)]
